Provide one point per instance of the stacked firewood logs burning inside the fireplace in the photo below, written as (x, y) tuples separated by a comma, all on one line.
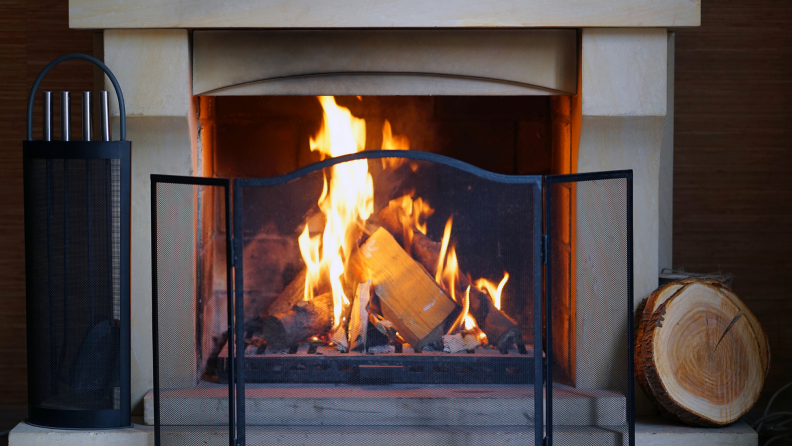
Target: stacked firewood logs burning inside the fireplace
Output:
[(391, 279)]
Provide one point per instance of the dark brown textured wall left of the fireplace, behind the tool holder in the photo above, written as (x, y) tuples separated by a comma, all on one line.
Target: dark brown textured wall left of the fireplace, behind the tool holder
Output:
[(32, 33)]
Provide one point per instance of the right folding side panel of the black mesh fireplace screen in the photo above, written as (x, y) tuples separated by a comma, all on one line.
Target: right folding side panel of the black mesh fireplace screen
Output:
[(589, 227)]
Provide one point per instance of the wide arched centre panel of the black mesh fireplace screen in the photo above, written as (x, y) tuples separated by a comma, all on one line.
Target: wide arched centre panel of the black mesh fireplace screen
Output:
[(496, 228)]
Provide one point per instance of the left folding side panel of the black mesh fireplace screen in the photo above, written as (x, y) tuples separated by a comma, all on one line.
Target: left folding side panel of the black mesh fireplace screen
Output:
[(191, 301)]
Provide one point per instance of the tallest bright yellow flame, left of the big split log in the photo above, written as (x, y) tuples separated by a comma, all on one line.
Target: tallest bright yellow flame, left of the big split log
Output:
[(347, 200)]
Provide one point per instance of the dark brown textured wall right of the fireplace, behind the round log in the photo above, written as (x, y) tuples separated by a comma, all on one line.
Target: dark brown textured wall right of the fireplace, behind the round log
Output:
[(733, 163)]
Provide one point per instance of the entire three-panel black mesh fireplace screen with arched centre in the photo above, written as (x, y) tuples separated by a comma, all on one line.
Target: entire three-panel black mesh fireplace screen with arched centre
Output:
[(396, 290)]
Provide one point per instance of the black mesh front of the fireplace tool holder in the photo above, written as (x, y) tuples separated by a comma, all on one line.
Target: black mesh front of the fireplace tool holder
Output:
[(73, 283)]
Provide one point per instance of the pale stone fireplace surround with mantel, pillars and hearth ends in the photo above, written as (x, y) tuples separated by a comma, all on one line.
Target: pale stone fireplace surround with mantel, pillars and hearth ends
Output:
[(618, 71)]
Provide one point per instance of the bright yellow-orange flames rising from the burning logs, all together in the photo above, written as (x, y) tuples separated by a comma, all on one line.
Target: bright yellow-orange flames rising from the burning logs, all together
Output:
[(347, 202)]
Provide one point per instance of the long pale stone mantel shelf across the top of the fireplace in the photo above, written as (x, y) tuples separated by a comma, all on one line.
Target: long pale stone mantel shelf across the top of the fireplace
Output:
[(108, 14)]
